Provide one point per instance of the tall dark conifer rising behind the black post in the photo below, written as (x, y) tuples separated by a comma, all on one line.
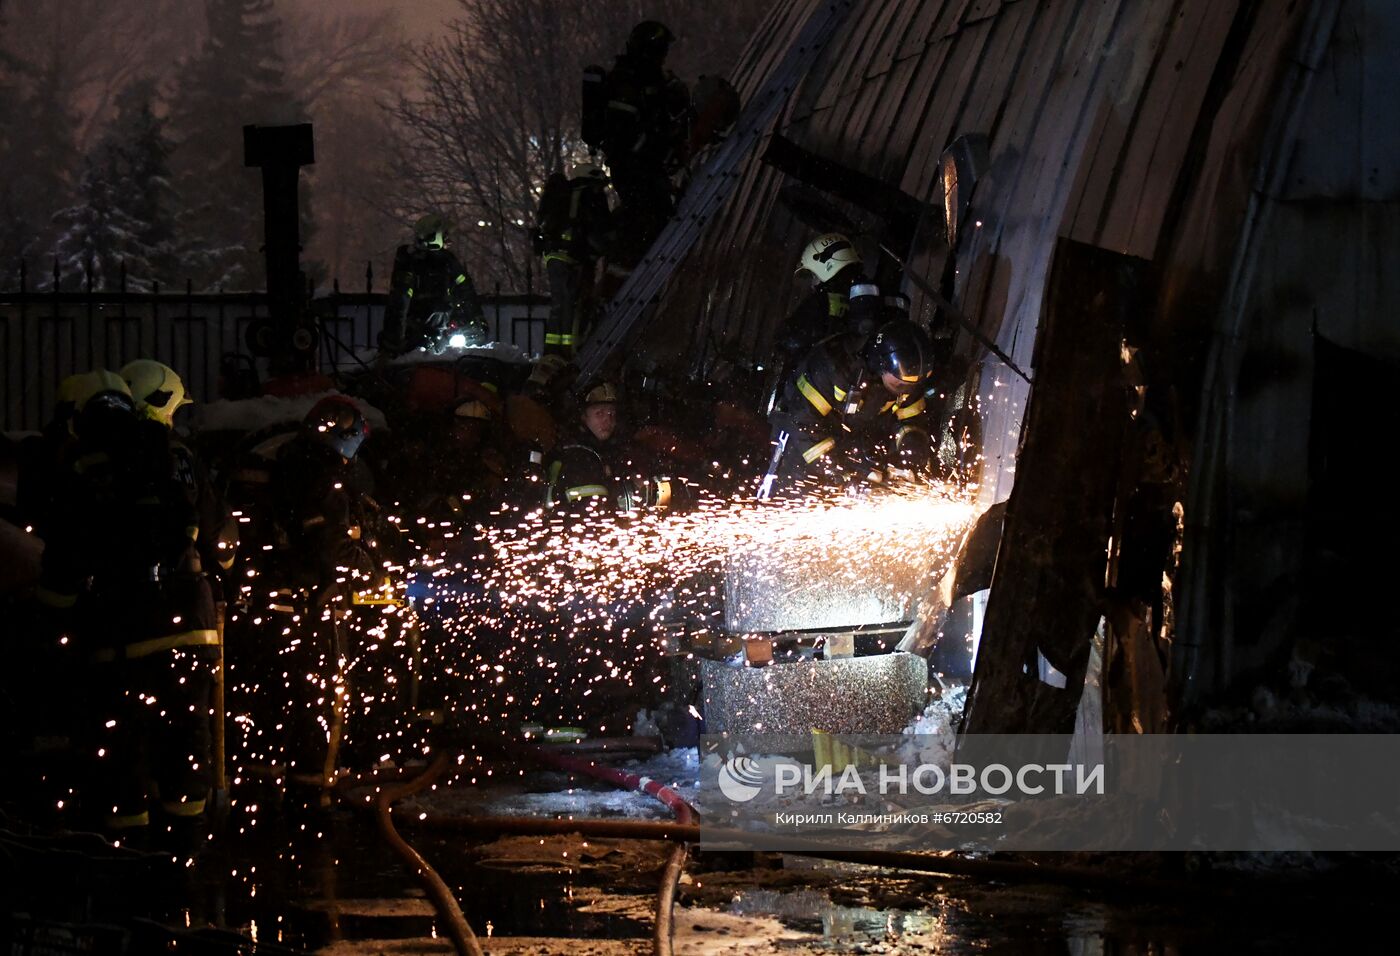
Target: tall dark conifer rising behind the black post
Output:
[(236, 79)]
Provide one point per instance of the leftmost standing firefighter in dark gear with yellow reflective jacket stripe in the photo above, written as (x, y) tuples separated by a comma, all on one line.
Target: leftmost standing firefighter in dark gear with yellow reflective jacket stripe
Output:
[(124, 570)]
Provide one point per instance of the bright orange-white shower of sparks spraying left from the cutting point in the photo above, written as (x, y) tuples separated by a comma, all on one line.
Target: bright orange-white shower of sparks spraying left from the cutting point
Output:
[(530, 618)]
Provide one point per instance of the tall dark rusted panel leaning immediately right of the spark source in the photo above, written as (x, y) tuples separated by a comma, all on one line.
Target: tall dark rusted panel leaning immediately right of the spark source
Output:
[(1046, 593)]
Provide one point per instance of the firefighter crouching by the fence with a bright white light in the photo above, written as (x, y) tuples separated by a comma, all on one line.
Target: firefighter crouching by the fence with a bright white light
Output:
[(432, 297)]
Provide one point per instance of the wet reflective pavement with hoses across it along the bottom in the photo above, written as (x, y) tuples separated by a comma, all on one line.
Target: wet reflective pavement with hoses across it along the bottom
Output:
[(327, 883)]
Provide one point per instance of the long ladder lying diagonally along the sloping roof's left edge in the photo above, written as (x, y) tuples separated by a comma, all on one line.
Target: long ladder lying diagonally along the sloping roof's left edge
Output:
[(708, 194)]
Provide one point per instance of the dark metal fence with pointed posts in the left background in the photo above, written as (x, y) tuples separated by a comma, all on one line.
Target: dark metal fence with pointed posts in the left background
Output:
[(50, 335)]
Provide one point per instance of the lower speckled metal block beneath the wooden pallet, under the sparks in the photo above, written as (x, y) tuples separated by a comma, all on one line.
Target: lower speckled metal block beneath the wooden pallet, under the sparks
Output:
[(874, 695)]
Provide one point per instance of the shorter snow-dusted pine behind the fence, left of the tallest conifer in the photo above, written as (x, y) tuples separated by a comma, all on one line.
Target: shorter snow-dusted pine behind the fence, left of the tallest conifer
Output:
[(125, 202)]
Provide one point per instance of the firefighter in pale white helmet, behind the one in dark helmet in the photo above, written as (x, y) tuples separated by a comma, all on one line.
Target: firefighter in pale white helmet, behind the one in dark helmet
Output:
[(842, 300)]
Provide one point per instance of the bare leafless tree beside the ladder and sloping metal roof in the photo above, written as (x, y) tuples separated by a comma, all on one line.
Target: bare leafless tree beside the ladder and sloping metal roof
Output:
[(500, 107)]
